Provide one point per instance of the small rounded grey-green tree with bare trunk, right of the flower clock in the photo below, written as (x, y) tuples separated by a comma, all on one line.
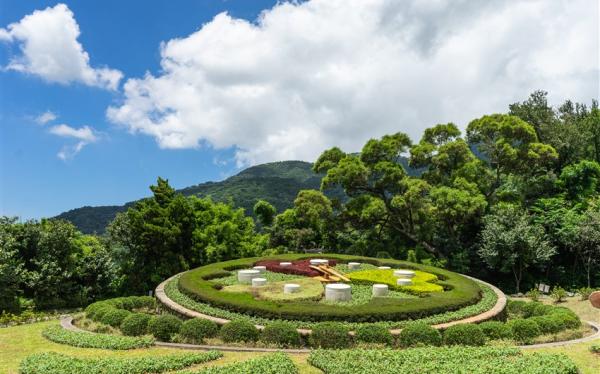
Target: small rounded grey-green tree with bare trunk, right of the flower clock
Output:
[(510, 242)]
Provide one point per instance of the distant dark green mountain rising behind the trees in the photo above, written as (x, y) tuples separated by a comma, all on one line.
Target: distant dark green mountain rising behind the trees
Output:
[(276, 182)]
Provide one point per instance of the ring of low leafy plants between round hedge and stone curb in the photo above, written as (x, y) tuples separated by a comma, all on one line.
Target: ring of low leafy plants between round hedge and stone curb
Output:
[(172, 291)]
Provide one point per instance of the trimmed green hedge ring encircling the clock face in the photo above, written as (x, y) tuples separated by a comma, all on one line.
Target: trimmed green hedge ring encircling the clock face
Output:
[(462, 292)]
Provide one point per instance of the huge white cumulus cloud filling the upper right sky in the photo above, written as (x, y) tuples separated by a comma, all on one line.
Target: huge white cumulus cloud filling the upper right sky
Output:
[(307, 76)]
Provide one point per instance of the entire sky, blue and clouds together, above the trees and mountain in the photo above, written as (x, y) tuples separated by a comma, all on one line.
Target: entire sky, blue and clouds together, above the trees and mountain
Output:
[(132, 90)]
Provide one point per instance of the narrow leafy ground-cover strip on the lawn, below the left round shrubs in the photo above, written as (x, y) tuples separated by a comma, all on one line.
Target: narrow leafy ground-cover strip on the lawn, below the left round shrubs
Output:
[(60, 335)]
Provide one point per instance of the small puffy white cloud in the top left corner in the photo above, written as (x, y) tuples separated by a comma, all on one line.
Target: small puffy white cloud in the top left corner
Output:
[(48, 43)]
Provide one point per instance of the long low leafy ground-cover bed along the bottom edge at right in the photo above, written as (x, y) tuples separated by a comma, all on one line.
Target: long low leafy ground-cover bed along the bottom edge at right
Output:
[(446, 360)]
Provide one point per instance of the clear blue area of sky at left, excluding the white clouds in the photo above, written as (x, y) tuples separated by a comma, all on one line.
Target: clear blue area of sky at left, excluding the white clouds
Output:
[(119, 167)]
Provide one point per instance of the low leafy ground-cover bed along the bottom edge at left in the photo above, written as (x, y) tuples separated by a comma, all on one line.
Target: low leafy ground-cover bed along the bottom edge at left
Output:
[(55, 363)]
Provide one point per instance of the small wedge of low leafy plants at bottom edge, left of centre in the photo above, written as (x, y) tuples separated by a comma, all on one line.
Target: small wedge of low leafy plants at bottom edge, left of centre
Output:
[(276, 363)]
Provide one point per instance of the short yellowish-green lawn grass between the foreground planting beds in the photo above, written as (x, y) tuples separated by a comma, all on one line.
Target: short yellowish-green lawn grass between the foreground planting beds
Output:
[(18, 342)]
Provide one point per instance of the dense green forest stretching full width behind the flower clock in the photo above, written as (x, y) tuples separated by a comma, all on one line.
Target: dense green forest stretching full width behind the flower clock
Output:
[(514, 199)]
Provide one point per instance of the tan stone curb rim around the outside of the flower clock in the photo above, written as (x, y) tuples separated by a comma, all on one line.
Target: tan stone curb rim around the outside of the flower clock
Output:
[(496, 309)]
